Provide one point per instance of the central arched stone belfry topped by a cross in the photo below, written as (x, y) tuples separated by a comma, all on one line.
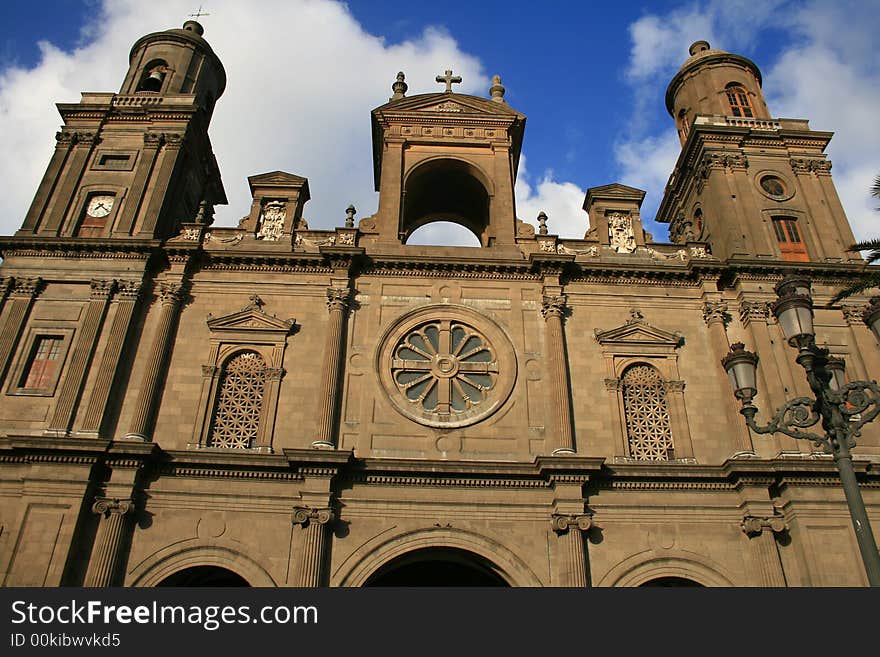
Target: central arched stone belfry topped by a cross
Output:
[(445, 157)]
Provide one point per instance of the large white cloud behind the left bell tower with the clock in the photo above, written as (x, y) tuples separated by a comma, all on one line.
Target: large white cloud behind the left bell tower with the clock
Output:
[(302, 78)]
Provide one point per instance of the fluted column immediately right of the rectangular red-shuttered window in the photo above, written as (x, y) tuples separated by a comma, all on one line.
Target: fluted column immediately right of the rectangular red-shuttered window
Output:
[(77, 368)]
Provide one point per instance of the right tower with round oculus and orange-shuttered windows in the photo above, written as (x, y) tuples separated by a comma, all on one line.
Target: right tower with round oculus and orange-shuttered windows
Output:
[(750, 185)]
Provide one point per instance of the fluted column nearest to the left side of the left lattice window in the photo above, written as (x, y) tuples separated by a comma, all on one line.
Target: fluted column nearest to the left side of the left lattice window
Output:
[(170, 297)]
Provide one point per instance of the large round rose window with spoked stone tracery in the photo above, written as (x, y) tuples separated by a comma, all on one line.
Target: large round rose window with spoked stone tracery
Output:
[(446, 366)]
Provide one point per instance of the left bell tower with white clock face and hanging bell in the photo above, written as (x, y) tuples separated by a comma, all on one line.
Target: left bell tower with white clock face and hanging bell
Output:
[(137, 163)]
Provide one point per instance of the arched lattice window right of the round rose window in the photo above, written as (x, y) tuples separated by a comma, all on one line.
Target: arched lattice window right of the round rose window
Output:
[(648, 428)]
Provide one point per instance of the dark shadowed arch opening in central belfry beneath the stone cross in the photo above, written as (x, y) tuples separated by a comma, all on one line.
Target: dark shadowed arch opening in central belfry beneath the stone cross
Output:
[(446, 189)]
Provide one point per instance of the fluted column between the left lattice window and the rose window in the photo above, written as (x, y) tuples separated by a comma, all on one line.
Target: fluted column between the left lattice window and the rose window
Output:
[(338, 299)]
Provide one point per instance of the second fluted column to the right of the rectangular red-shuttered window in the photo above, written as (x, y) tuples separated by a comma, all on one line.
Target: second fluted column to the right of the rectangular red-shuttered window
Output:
[(108, 371)]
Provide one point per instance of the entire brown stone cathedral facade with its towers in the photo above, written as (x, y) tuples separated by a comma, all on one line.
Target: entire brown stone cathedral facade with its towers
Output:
[(274, 405)]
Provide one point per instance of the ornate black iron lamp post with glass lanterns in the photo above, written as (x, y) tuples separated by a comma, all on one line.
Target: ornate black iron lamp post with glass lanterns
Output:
[(842, 408)]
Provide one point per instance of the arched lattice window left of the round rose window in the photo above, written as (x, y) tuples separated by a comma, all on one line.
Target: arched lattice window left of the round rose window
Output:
[(239, 405)]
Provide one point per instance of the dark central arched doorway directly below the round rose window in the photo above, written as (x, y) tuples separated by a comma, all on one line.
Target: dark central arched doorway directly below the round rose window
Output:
[(437, 567)]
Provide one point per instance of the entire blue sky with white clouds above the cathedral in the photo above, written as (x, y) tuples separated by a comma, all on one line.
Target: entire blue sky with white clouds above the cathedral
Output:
[(590, 77)]
